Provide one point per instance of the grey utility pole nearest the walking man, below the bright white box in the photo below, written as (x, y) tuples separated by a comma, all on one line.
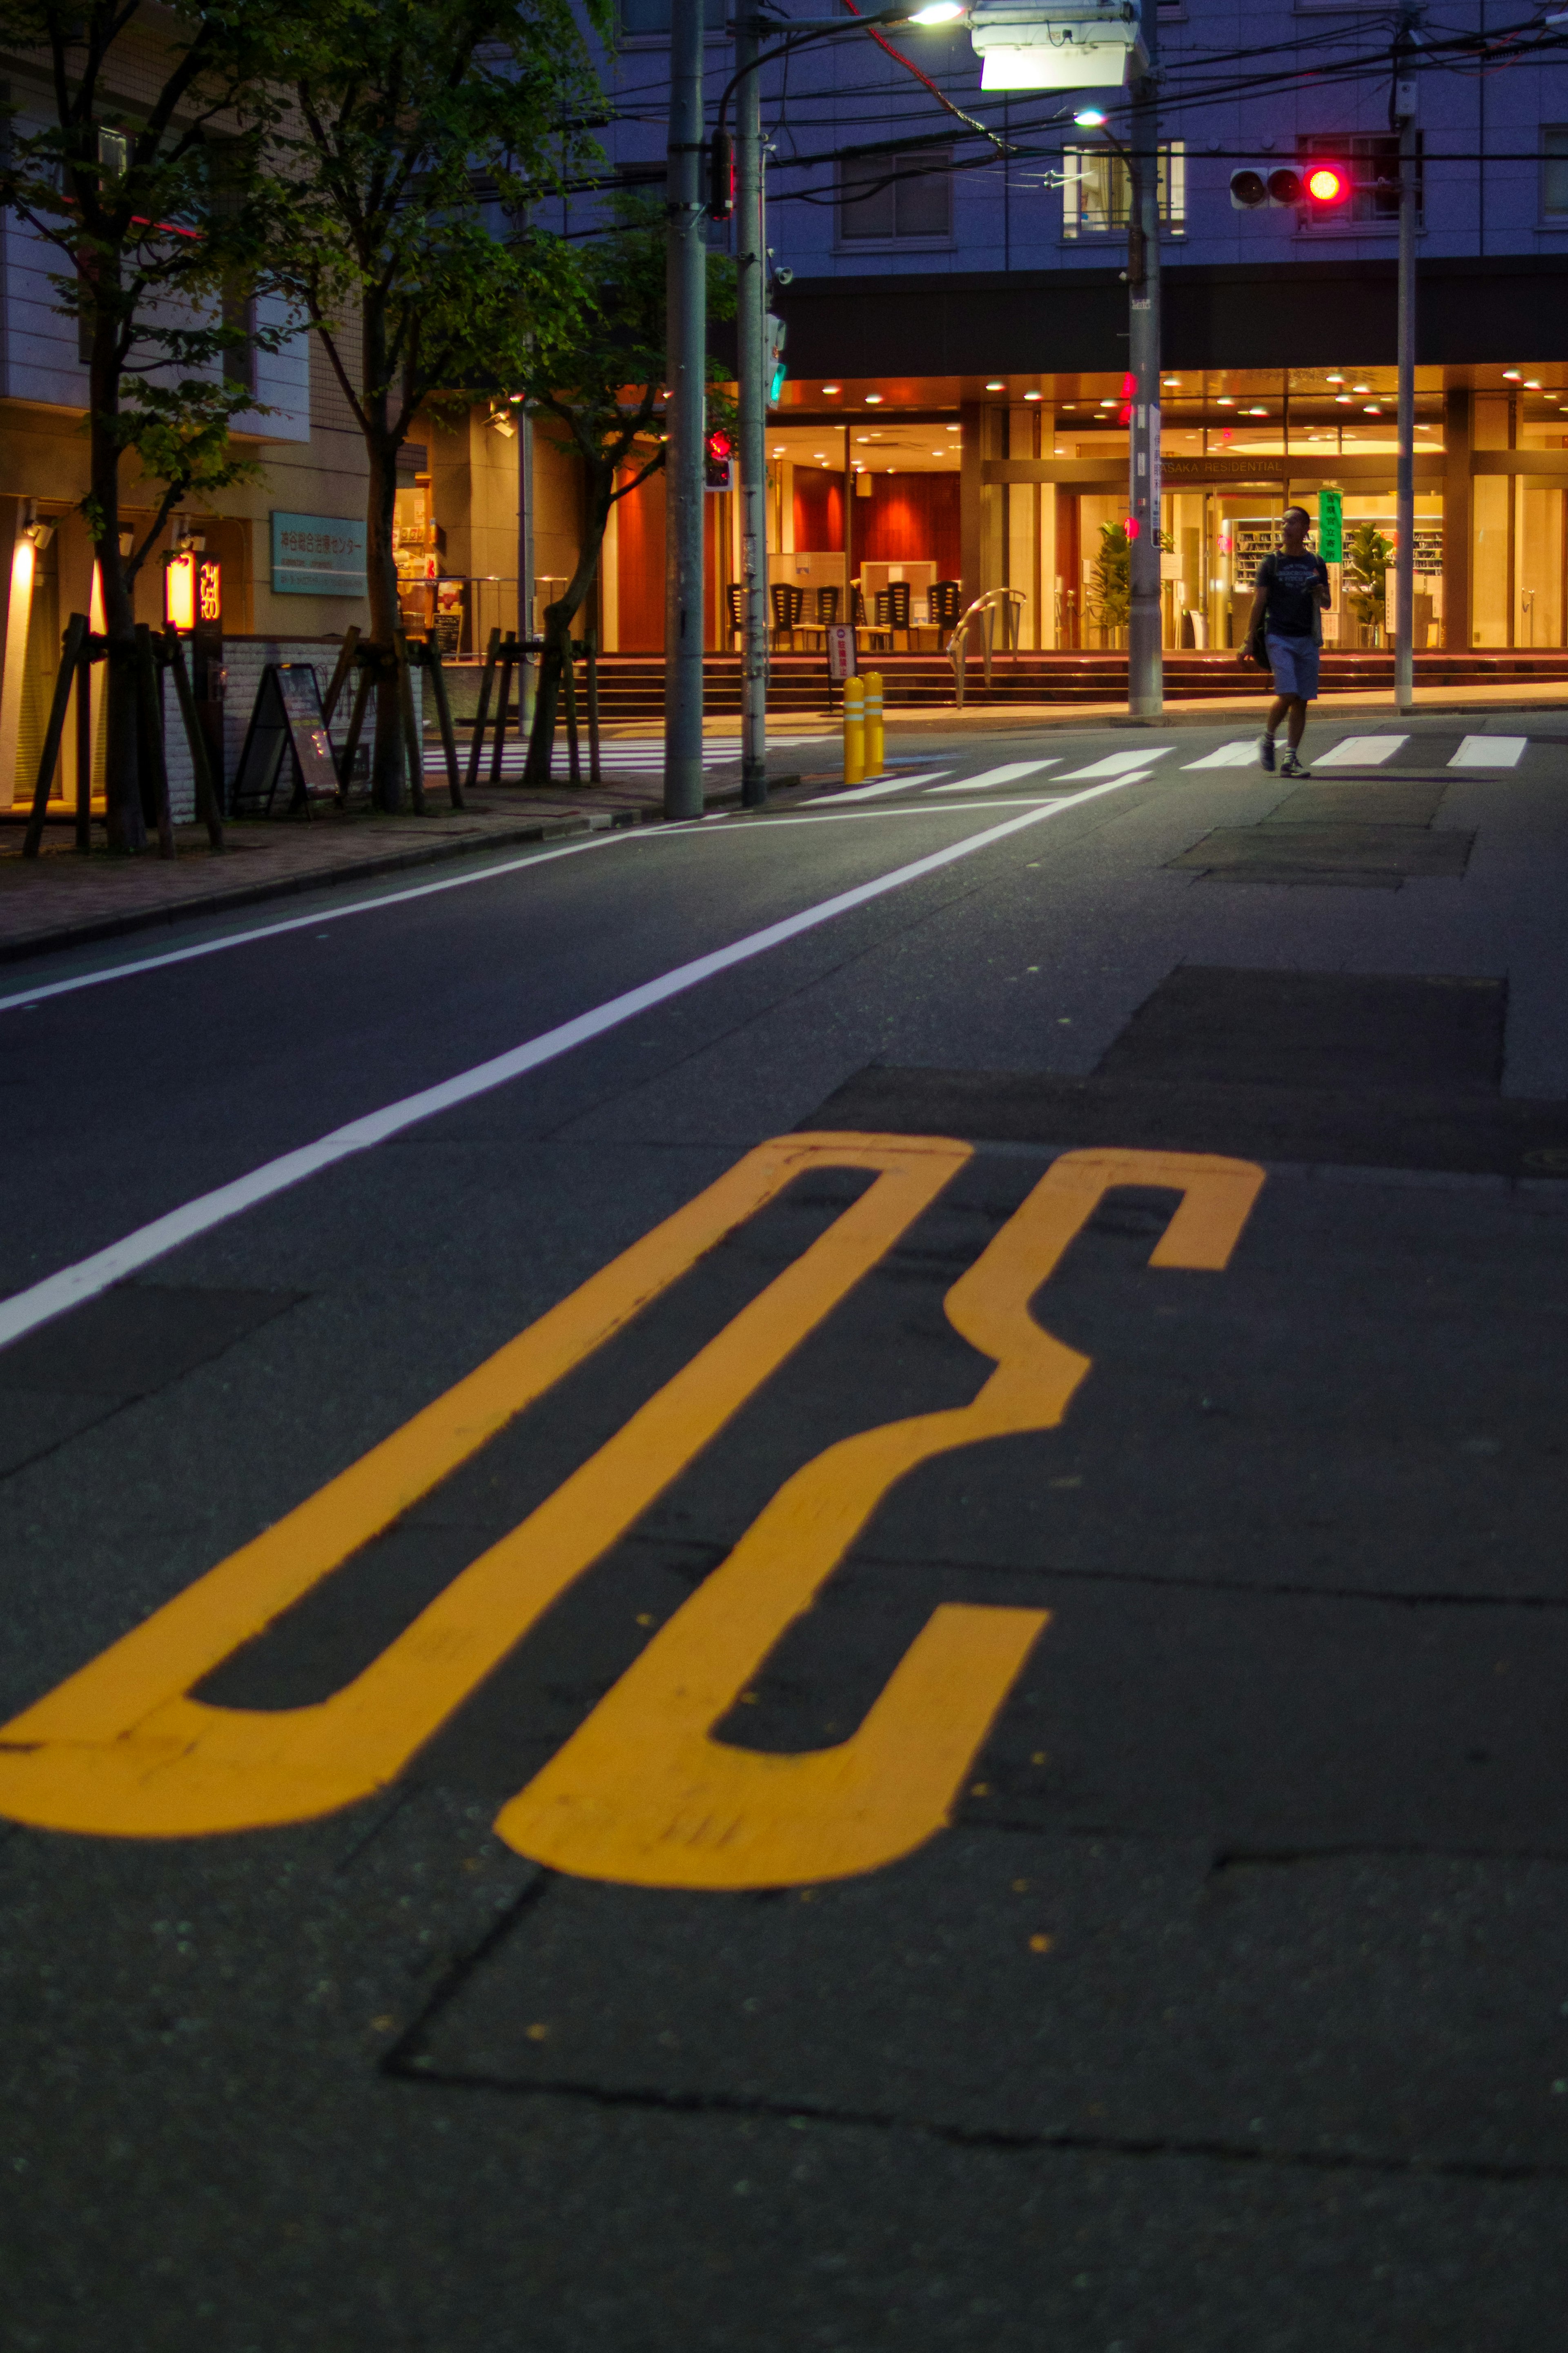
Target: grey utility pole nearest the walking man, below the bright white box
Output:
[(1146, 686)]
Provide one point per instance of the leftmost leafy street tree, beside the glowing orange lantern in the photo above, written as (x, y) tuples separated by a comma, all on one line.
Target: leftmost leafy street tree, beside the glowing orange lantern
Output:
[(156, 213)]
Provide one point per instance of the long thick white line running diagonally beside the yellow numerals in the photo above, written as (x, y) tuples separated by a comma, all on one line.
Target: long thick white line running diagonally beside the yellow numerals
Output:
[(91, 1277)]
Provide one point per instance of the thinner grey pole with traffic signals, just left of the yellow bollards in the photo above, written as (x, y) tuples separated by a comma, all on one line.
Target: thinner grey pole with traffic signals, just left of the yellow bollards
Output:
[(751, 312)]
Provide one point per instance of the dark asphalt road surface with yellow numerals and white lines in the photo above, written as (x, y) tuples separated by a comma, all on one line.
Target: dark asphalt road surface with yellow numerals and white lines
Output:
[(800, 1582)]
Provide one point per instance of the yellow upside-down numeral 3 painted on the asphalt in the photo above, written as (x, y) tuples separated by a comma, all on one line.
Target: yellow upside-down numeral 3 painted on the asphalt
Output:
[(645, 1794)]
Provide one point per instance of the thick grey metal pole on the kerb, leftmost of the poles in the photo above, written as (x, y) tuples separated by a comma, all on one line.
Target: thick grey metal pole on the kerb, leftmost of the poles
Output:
[(688, 345)]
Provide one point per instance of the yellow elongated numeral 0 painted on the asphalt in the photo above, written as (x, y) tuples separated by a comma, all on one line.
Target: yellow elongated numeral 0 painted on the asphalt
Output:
[(123, 1749)]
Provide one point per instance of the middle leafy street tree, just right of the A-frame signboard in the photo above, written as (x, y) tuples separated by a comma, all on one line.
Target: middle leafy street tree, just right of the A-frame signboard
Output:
[(424, 128)]
